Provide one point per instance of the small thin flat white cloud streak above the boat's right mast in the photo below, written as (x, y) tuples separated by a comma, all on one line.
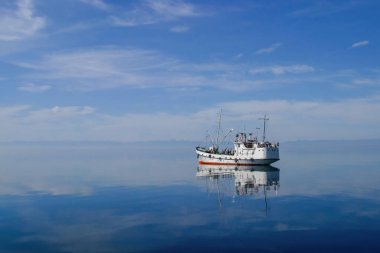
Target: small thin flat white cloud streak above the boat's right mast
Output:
[(279, 70)]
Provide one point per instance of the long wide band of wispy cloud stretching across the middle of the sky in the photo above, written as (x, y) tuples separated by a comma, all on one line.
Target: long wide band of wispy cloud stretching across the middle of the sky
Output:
[(112, 68)]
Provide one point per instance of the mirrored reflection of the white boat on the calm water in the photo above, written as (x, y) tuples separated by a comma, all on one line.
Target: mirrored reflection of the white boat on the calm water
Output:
[(233, 181)]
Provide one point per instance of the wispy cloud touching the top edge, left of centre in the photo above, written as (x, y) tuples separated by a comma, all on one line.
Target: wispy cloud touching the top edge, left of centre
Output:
[(151, 12)]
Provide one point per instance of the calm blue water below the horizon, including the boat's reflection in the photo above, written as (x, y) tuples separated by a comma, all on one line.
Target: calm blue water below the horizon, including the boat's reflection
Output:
[(147, 197)]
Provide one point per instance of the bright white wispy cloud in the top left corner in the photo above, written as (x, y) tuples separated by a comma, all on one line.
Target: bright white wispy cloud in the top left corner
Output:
[(19, 23)]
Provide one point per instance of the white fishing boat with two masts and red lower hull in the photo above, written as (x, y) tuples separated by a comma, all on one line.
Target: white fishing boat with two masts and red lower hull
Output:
[(247, 151)]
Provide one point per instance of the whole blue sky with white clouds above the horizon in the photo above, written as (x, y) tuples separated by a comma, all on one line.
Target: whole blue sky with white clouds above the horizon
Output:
[(161, 70)]
